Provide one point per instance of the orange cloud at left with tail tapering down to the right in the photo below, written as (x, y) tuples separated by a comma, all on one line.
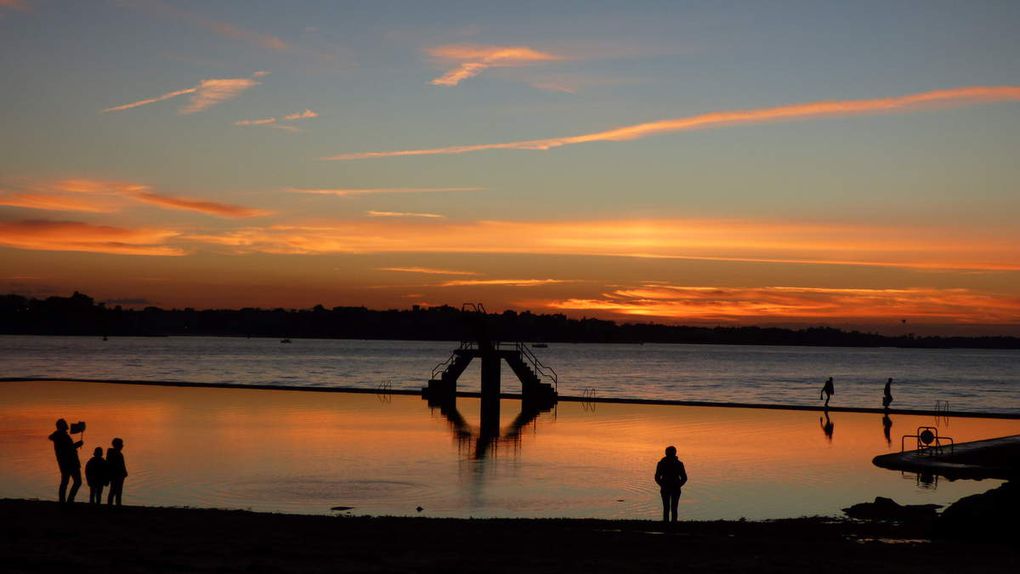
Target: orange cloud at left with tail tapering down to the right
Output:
[(106, 191)]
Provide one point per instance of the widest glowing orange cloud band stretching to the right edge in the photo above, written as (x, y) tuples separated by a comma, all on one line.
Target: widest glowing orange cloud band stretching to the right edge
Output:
[(771, 242)]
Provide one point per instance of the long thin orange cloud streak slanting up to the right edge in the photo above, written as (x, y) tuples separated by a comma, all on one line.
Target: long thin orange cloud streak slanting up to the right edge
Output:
[(955, 97)]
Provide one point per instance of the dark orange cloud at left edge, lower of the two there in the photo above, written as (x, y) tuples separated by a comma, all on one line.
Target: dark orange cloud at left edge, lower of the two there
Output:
[(76, 236)]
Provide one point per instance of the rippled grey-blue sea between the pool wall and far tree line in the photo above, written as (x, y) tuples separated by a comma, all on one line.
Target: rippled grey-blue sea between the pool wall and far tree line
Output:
[(970, 380)]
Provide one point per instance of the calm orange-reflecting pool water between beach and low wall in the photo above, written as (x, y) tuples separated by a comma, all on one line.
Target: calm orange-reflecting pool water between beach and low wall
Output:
[(386, 455)]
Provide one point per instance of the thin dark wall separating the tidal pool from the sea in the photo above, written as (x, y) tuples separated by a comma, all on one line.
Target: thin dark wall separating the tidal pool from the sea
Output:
[(565, 399)]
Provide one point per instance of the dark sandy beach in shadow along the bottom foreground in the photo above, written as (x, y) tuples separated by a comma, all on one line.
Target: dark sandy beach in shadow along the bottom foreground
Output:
[(40, 537)]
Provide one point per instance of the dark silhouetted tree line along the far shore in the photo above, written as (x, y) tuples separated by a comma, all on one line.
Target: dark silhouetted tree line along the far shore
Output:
[(81, 316)]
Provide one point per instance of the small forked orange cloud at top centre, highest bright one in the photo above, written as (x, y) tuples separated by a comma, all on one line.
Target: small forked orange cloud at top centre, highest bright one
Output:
[(473, 60)]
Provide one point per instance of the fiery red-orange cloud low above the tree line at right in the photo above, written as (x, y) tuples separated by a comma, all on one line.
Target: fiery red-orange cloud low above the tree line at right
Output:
[(715, 304)]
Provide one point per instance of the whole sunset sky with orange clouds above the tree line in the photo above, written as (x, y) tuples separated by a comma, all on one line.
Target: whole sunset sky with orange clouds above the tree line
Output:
[(850, 165)]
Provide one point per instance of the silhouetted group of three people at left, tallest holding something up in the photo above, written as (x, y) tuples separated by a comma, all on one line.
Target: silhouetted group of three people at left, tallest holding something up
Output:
[(99, 473)]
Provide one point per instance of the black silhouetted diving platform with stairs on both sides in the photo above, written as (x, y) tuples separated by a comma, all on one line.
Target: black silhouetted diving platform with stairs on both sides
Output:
[(539, 383)]
